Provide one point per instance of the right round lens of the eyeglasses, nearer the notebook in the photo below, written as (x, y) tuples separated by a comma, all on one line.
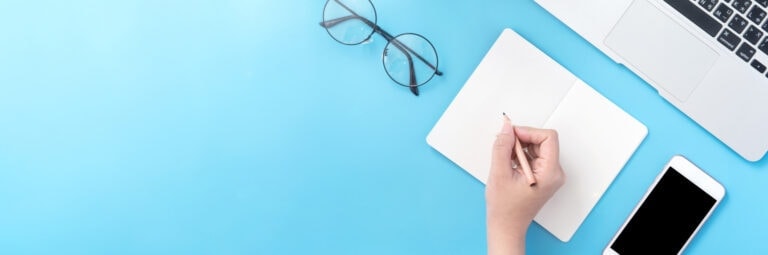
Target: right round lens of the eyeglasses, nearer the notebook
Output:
[(410, 56)]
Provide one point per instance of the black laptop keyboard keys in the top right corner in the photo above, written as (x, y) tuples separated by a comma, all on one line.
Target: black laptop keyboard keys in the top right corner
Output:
[(739, 25)]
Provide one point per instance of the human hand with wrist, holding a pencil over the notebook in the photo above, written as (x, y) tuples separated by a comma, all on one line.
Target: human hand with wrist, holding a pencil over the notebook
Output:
[(511, 204)]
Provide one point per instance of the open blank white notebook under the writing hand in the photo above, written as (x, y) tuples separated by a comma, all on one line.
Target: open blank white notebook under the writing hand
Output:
[(596, 136)]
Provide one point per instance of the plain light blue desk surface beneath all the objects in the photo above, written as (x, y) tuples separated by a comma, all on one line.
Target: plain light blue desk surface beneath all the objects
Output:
[(241, 127)]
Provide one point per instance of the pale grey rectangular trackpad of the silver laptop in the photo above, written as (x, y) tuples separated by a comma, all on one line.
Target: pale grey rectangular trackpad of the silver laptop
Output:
[(659, 48)]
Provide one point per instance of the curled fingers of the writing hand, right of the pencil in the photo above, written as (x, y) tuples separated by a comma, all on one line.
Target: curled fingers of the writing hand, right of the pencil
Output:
[(545, 141)]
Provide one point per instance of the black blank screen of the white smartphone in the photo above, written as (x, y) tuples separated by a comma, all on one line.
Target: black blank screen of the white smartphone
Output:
[(666, 219)]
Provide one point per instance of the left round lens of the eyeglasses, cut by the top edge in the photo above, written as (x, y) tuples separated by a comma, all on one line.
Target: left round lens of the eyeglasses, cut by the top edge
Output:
[(349, 21)]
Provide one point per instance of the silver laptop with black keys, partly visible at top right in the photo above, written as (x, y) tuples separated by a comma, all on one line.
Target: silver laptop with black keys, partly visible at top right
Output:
[(708, 58)]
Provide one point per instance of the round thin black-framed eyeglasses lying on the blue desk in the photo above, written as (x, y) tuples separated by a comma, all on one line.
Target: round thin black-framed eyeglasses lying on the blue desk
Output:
[(353, 22)]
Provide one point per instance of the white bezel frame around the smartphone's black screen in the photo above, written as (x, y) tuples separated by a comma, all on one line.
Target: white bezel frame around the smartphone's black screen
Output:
[(690, 172)]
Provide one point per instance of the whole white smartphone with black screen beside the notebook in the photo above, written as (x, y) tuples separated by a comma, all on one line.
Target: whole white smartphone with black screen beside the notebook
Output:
[(671, 212)]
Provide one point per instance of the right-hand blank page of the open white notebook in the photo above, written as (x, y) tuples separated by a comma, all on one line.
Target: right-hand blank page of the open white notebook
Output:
[(596, 139)]
